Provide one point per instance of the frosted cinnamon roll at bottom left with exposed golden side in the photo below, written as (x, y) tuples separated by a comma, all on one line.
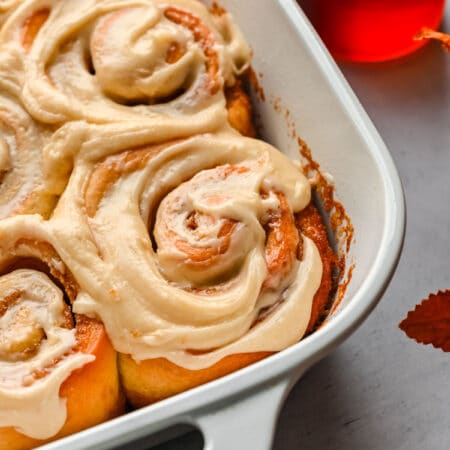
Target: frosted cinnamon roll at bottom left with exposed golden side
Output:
[(58, 371)]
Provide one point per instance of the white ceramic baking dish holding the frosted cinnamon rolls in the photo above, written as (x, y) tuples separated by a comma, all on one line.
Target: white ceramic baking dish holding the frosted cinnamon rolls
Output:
[(298, 75)]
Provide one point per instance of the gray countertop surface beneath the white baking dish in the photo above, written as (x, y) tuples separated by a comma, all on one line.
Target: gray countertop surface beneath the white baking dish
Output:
[(381, 390)]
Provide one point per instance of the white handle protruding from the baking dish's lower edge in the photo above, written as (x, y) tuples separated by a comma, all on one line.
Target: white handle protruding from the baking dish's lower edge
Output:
[(244, 423)]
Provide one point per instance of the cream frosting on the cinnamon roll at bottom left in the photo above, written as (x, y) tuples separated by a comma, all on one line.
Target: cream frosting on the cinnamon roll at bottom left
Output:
[(36, 340)]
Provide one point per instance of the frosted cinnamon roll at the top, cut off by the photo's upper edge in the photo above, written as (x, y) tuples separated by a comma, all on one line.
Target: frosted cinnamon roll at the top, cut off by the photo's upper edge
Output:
[(145, 60)]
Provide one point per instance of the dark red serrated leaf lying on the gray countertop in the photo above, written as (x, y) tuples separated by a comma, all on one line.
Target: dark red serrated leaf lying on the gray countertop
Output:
[(429, 322)]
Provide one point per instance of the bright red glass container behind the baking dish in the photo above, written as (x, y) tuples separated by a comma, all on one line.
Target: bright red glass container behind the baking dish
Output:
[(372, 30)]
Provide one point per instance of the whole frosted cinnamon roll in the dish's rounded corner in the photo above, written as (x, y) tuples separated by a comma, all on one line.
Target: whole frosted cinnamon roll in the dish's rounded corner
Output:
[(192, 254)]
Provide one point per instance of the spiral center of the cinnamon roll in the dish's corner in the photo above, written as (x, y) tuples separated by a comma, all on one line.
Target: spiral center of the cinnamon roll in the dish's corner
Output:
[(201, 234)]
